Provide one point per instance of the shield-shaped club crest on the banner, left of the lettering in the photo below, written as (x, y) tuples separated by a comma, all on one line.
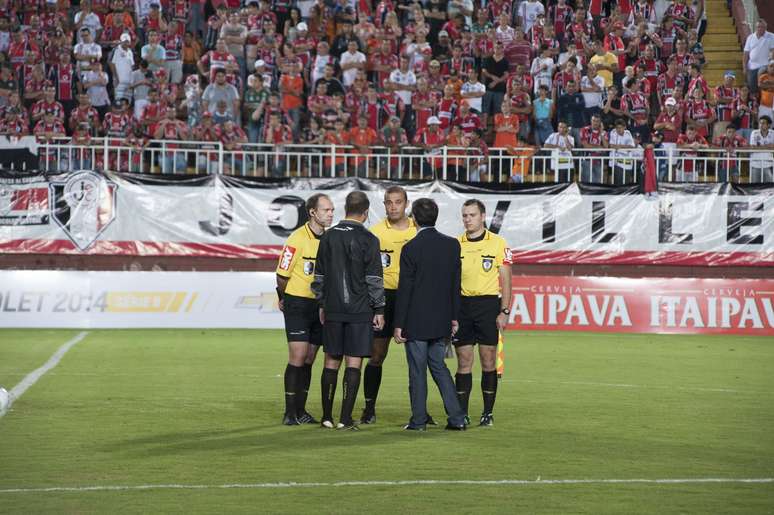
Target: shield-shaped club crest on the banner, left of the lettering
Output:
[(83, 205)]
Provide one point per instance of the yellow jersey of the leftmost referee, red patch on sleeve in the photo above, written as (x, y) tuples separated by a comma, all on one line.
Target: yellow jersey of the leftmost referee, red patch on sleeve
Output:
[(297, 261)]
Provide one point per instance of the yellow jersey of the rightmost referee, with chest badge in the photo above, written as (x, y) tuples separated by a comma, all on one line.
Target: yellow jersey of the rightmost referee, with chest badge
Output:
[(481, 261)]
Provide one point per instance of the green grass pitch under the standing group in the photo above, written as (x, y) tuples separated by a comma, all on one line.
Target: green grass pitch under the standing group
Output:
[(203, 407)]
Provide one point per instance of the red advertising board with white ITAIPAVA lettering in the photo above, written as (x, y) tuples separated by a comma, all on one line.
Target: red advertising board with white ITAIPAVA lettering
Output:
[(622, 305)]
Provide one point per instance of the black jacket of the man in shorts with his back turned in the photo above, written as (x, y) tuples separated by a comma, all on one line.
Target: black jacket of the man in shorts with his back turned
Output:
[(348, 280)]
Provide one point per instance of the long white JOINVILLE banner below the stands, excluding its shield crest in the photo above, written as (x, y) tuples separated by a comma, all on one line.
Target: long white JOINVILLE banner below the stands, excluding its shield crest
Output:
[(678, 228)]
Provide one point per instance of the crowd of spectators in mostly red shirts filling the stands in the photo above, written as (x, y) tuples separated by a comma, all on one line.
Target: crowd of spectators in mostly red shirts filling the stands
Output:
[(540, 74)]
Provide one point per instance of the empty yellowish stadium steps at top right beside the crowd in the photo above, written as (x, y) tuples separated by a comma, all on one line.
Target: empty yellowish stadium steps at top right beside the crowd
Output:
[(721, 44)]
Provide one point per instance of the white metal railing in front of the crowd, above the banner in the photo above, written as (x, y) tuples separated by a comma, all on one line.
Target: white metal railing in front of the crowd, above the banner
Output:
[(599, 165)]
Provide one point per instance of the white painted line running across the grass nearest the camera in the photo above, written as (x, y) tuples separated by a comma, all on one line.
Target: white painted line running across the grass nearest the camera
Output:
[(416, 482)]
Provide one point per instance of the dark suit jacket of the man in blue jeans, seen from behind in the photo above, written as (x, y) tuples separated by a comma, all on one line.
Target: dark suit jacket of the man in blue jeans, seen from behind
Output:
[(429, 286)]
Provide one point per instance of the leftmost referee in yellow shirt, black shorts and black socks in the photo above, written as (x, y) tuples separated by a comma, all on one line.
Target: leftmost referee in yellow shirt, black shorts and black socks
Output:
[(295, 272)]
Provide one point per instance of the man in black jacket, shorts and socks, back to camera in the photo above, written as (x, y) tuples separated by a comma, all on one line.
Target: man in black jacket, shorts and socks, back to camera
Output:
[(349, 287)]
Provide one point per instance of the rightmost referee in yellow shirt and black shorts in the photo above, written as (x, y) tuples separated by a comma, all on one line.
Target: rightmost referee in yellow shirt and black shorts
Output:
[(486, 298)]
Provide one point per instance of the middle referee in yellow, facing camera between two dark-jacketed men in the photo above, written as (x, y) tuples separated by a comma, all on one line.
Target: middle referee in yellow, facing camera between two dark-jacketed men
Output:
[(393, 232)]
